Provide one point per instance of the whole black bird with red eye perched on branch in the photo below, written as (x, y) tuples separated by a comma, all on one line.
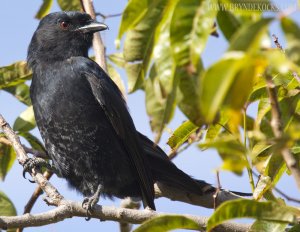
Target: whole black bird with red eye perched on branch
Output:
[(84, 121)]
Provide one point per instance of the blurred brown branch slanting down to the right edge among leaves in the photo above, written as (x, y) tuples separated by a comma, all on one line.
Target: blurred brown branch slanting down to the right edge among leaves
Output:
[(276, 125)]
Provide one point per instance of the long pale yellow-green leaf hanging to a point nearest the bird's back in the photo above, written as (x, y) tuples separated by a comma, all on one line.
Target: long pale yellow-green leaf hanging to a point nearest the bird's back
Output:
[(160, 87)]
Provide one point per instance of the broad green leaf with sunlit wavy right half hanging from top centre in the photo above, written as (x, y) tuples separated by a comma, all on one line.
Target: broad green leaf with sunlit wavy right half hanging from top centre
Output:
[(191, 25)]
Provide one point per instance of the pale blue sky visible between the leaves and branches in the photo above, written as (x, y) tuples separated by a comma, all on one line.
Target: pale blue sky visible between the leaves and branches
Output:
[(18, 24)]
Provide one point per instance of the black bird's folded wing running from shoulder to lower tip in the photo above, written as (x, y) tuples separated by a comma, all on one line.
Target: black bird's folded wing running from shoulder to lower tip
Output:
[(112, 102)]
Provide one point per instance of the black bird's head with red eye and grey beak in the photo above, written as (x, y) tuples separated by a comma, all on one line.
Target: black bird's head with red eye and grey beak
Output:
[(62, 35)]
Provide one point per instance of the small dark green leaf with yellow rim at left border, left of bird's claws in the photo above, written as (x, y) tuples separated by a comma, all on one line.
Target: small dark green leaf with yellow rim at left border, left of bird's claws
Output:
[(7, 158)]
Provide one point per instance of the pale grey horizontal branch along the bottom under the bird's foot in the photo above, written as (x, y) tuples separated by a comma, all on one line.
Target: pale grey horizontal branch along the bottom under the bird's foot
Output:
[(70, 209)]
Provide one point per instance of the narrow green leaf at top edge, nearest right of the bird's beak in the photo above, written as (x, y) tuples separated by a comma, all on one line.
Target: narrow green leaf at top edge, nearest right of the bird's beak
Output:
[(133, 13)]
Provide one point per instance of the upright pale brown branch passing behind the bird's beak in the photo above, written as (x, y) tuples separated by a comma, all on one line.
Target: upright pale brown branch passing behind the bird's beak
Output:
[(98, 45)]
